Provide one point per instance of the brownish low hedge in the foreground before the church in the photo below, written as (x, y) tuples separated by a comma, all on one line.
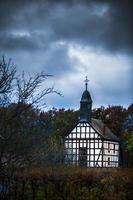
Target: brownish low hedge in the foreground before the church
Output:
[(73, 184)]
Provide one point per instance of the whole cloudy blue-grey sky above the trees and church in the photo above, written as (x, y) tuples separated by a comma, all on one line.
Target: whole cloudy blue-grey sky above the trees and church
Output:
[(71, 39)]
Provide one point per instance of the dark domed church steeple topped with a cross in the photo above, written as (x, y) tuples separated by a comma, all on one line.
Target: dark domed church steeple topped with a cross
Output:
[(85, 104)]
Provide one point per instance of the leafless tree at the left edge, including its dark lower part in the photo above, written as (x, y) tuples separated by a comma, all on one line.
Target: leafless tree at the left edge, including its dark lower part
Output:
[(27, 92)]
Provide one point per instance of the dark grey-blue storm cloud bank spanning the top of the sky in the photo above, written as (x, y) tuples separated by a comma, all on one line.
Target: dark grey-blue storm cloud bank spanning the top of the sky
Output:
[(72, 20)]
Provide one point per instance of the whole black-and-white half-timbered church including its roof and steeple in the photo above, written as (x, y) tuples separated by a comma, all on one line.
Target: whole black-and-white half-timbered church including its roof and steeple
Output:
[(91, 143)]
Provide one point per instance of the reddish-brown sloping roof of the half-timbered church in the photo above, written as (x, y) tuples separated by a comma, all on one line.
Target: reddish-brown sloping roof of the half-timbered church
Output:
[(103, 130)]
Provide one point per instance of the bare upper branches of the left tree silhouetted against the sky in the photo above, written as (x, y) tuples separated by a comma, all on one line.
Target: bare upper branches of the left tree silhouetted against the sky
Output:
[(25, 89)]
